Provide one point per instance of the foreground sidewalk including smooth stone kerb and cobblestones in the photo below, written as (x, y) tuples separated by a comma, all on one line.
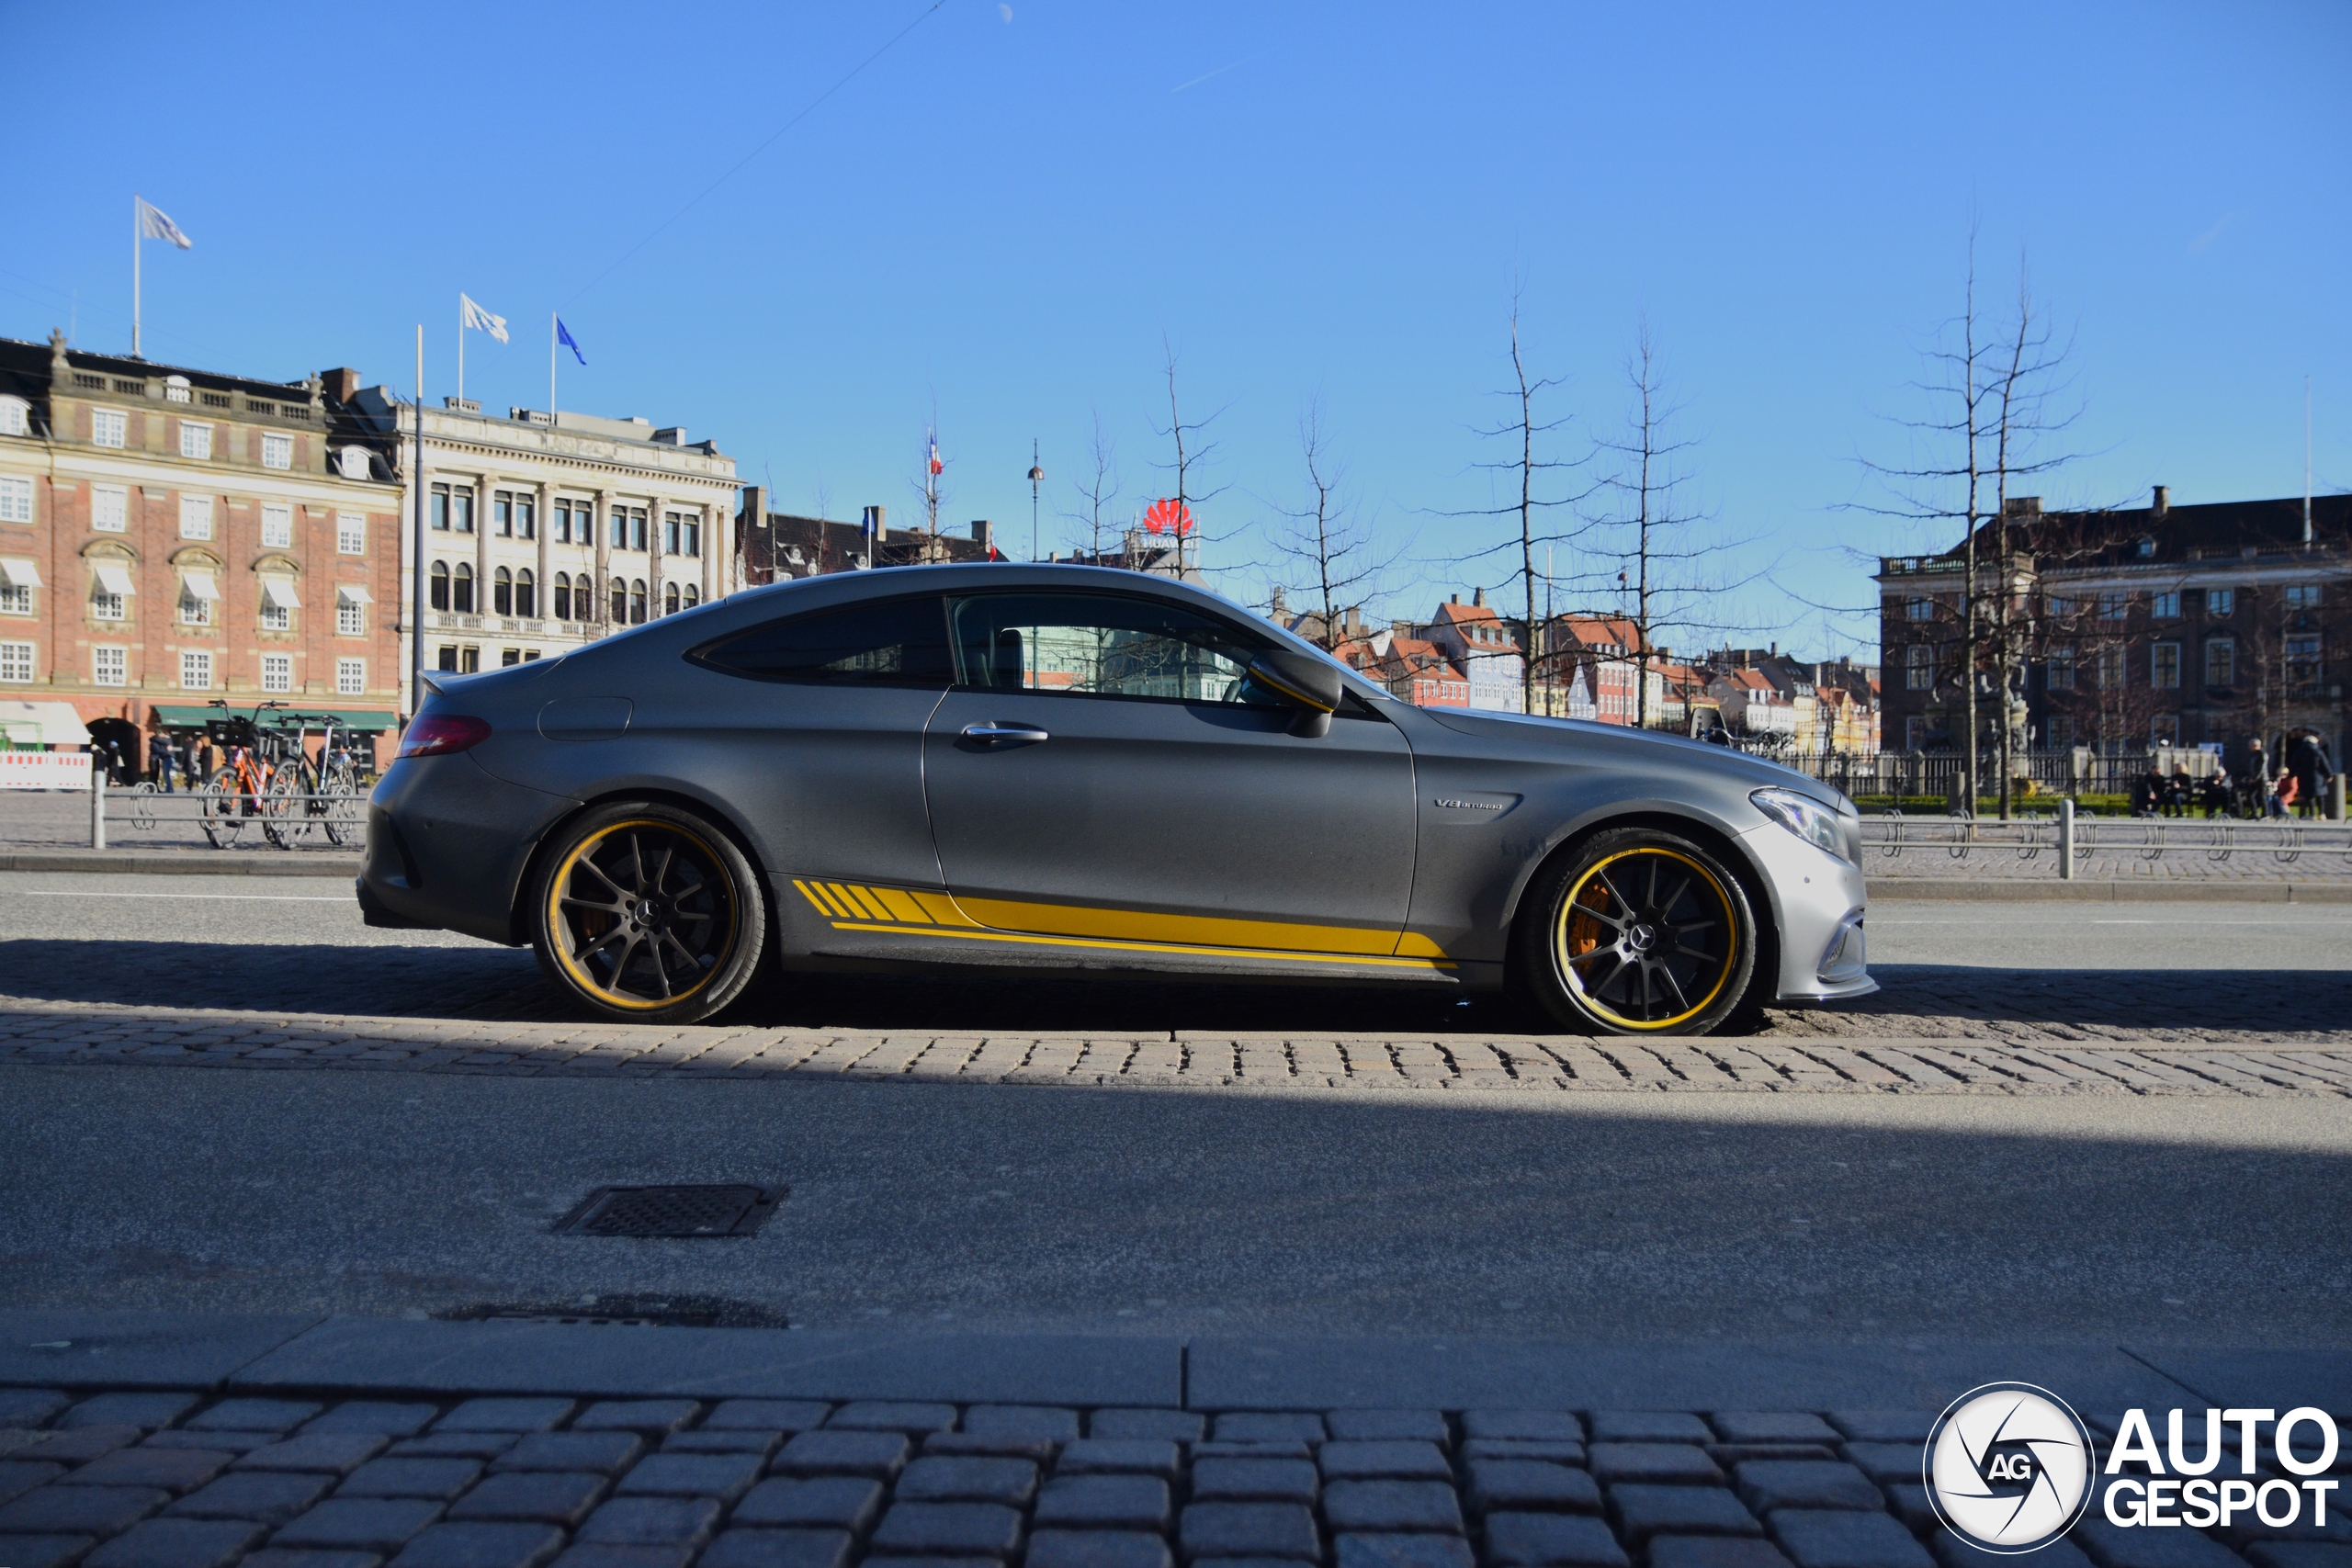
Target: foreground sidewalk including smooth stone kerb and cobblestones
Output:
[(290, 1442)]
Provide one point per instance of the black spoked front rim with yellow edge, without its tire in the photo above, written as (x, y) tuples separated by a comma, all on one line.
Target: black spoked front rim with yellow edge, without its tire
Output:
[(1652, 932)]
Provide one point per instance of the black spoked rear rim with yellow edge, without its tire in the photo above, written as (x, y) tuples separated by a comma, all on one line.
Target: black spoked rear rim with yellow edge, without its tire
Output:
[(592, 923)]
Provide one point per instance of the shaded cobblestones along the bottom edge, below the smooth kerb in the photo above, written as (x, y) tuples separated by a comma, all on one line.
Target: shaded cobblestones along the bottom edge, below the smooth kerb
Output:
[(171, 1480)]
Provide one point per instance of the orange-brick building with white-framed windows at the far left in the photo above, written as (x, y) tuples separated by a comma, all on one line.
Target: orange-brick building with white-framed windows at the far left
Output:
[(173, 535)]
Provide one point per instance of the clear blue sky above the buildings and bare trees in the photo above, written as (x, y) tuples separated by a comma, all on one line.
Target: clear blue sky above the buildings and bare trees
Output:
[(1010, 213)]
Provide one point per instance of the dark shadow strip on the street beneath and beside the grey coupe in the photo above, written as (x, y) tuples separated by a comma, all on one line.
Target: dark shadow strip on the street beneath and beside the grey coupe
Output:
[(505, 986)]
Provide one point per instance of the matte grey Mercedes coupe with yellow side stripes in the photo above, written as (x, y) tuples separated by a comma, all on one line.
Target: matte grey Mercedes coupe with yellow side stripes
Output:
[(1100, 772)]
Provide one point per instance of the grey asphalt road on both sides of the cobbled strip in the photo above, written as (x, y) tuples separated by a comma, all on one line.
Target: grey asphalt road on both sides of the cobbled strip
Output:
[(1170, 1212)]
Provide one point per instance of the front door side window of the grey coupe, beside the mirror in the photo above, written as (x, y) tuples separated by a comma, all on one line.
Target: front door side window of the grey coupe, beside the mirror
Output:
[(1100, 645)]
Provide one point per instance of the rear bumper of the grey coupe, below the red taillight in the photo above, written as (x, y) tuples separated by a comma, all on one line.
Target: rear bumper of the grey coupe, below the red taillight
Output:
[(448, 847)]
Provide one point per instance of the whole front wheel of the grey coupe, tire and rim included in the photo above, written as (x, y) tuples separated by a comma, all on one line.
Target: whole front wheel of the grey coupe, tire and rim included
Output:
[(1636, 932)]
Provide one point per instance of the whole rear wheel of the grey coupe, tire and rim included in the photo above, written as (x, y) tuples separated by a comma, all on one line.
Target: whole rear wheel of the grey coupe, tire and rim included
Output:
[(648, 913)]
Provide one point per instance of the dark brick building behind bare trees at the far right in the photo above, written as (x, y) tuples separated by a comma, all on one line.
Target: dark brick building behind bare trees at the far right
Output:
[(2132, 629)]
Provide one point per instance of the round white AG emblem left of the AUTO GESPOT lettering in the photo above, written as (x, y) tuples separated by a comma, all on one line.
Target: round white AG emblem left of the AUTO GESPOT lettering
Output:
[(2010, 1468)]
